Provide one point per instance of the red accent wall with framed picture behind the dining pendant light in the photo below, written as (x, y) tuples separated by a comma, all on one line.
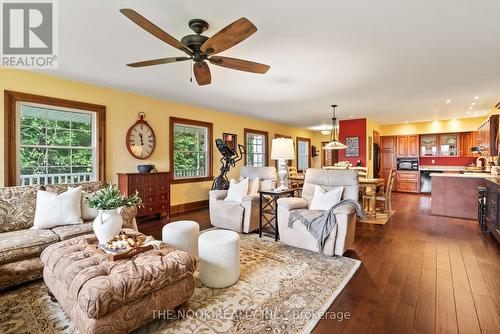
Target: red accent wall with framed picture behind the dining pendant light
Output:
[(353, 128)]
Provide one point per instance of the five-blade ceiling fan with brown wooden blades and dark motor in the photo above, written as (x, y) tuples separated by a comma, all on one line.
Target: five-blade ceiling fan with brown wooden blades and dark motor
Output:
[(201, 48)]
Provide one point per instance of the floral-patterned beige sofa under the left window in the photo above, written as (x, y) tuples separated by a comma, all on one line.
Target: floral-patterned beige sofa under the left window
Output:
[(20, 246)]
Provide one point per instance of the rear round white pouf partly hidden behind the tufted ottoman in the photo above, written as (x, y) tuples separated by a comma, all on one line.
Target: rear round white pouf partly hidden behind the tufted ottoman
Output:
[(182, 235)]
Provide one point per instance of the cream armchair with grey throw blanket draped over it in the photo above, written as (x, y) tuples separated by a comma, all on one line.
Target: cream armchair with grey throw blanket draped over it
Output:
[(340, 238)]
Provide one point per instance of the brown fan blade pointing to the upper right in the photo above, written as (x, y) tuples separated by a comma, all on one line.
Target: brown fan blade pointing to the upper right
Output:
[(231, 35)]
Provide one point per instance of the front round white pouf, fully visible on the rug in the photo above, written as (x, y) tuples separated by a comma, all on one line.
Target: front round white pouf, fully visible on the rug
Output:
[(219, 258)]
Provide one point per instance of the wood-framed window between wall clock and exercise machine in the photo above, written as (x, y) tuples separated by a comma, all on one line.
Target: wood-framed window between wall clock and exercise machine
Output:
[(190, 150)]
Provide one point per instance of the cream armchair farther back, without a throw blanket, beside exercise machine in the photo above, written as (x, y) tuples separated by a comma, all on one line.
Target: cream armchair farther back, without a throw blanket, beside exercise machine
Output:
[(244, 216)]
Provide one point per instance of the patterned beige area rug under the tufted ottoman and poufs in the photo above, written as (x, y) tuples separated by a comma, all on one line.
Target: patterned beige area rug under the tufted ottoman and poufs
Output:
[(281, 290)]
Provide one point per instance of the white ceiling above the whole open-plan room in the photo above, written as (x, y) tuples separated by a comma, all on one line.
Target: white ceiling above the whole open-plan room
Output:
[(391, 60)]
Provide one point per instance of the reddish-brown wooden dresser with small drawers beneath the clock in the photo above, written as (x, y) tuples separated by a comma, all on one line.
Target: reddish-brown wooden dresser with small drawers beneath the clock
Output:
[(153, 188)]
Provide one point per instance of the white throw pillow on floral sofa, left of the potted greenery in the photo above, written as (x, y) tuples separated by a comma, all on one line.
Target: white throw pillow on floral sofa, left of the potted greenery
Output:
[(54, 209)]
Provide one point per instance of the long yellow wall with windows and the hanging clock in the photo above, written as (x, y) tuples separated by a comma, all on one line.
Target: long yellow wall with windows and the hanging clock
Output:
[(121, 113)]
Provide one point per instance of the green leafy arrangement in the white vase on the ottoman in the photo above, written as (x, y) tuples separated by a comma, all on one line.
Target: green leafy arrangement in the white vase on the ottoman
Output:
[(110, 198)]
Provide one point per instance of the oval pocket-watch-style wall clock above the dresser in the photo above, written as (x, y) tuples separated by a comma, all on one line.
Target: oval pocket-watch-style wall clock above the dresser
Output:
[(141, 139)]
